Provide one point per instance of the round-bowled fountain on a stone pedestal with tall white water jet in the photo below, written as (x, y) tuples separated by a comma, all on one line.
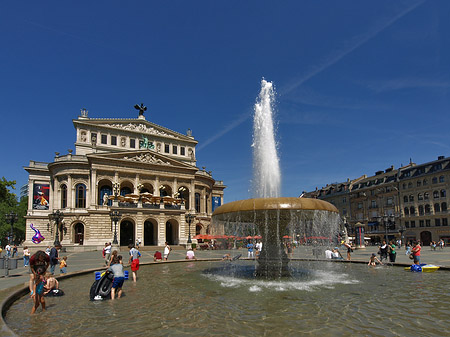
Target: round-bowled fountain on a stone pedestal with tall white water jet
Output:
[(272, 215)]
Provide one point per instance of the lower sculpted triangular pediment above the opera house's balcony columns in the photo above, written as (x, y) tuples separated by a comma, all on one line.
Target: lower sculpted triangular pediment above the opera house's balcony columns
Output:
[(142, 157)]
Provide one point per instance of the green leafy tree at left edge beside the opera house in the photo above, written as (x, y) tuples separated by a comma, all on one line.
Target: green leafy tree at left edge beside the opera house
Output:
[(8, 204)]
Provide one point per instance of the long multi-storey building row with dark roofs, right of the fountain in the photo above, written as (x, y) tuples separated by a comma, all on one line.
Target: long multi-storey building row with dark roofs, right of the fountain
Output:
[(409, 203)]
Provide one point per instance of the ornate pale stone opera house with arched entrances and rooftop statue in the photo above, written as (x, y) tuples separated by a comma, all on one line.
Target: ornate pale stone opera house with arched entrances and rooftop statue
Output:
[(146, 172)]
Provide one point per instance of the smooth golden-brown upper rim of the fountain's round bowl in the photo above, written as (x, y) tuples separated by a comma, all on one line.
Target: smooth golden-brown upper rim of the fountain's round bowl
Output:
[(280, 203)]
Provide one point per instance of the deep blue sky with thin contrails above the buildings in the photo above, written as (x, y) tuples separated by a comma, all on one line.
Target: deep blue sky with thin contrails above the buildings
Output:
[(360, 85)]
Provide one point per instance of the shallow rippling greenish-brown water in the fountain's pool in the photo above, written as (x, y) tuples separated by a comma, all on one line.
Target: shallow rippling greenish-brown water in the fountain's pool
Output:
[(201, 298)]
